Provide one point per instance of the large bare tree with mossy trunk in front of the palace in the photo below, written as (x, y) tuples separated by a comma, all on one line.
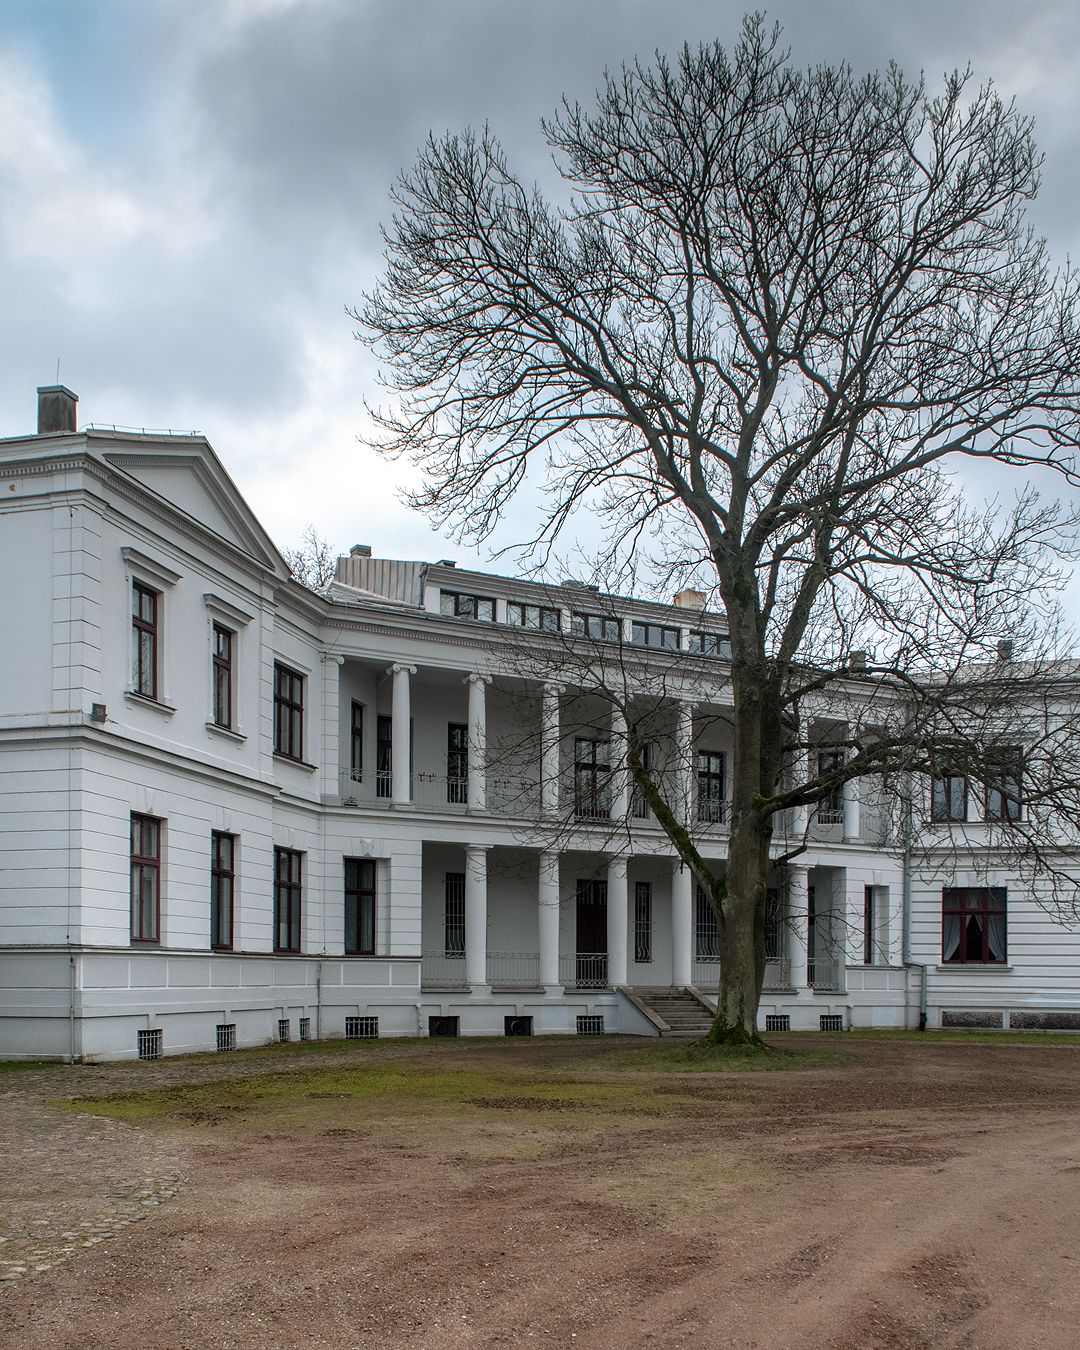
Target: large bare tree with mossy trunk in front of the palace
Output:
[(774, 313)]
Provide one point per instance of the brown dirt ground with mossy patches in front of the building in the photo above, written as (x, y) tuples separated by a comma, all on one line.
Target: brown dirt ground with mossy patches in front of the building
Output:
[(908, 1195)]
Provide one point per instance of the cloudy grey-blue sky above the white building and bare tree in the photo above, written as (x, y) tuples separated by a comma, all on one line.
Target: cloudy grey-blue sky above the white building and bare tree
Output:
[(191, 192)]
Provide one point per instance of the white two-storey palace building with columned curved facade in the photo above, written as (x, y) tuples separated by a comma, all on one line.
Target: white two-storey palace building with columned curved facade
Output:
[(234, 811)]
